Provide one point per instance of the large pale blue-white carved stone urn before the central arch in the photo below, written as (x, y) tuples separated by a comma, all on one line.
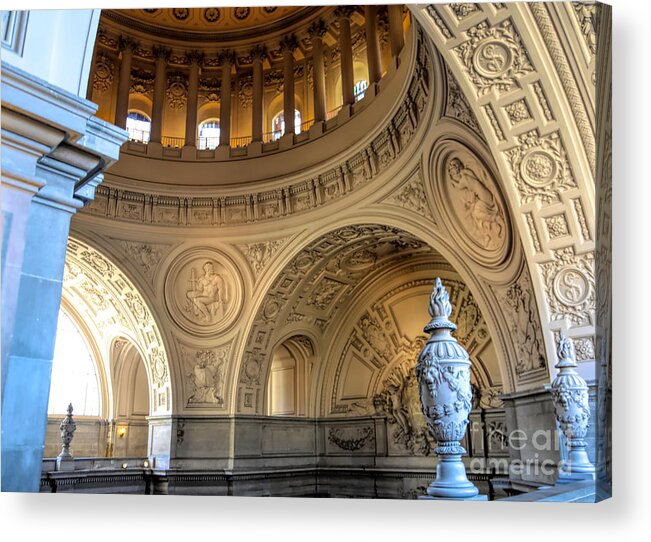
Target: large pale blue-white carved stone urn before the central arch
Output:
[(443, 372)]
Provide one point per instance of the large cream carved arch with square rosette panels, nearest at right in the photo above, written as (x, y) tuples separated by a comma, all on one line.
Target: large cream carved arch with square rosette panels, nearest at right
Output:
[(535, 105)]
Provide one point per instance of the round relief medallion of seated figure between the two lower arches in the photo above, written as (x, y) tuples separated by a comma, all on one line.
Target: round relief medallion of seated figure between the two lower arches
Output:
[(203, 291)]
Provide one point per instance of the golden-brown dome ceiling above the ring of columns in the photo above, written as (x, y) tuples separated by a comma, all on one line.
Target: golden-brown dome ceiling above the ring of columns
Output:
[(226, 23)]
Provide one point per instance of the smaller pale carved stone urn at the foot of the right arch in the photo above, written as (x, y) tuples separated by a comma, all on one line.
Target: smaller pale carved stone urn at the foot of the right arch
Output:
[(570, 395)]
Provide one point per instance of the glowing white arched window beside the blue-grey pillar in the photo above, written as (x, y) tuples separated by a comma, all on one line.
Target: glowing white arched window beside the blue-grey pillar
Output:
[(74, 373)]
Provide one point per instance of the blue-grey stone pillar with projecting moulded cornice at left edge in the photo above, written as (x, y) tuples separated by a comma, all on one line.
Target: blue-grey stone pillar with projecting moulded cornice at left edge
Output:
[(68, 173)]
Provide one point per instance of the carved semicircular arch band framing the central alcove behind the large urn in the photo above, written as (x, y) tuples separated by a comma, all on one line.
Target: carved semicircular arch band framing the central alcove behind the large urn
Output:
[(269, 309)]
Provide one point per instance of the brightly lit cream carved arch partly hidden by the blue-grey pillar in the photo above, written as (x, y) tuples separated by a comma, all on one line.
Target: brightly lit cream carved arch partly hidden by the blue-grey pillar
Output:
[(112, 301)]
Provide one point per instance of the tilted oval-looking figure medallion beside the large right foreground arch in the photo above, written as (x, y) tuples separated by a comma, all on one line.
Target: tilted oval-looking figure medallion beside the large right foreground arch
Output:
[(470, 199)]
